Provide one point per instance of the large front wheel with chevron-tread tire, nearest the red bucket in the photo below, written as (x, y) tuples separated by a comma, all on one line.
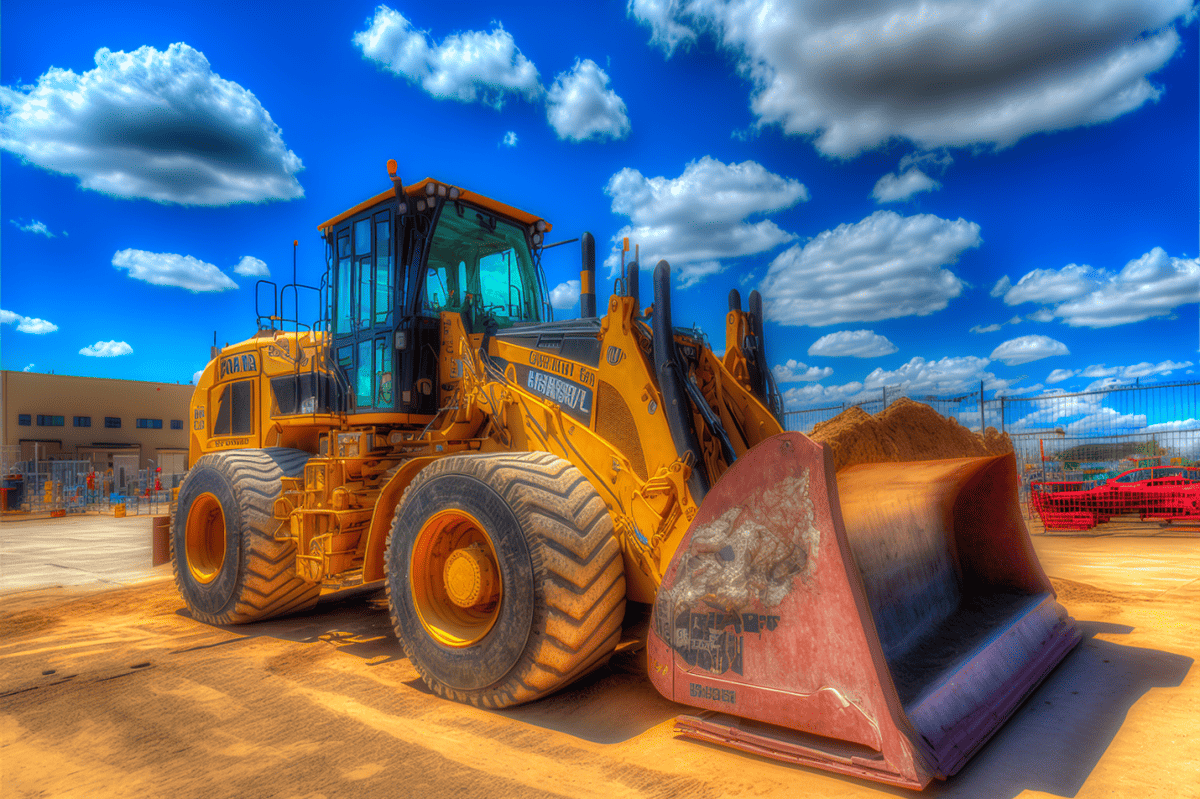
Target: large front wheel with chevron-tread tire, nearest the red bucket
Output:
[(551, 599)]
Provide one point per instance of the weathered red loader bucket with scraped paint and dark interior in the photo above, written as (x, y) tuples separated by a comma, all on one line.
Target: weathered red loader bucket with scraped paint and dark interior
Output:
[(884, 622)]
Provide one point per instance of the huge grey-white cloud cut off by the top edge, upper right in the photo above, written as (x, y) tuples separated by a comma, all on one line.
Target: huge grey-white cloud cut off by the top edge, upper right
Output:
[(944, 74)]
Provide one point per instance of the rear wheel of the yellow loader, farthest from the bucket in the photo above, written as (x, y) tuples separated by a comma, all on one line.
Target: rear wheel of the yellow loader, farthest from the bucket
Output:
[(229, 567)]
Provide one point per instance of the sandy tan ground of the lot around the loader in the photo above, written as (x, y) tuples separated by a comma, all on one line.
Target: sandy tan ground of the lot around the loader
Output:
[(110, 689)]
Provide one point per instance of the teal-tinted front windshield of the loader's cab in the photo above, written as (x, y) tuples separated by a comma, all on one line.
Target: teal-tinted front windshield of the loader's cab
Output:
[(481, 266)]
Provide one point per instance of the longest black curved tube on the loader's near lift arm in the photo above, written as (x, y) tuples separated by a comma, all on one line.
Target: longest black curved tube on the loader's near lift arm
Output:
[(671, 377)]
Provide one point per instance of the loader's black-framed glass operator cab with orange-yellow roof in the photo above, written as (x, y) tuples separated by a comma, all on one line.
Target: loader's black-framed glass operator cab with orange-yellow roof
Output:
[(399, 262)]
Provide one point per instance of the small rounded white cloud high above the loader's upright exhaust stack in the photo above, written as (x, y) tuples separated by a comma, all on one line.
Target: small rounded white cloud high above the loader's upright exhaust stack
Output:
[(581, 106)]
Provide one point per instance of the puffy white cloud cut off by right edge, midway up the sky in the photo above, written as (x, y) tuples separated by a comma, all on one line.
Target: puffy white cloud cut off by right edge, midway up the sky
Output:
[(1084, 297)]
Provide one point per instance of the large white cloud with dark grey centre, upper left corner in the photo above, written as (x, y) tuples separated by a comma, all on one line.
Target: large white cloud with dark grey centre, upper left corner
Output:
[(154, 125)]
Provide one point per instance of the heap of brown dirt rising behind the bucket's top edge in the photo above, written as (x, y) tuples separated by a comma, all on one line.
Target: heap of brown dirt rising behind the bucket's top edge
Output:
[(904, 431)]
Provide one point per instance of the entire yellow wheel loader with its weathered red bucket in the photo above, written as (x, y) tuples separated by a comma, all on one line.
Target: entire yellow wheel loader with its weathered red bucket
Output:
[(523, 484)]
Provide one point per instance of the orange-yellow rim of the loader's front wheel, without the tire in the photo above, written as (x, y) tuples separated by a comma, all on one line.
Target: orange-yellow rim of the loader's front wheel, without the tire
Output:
[(455, 580)]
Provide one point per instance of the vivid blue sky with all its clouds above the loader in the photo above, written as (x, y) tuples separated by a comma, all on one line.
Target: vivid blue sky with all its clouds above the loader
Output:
[(994, 190)]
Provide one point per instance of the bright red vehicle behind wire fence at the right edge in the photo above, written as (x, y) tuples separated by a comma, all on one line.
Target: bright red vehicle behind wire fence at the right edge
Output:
[(1153, 492)]
